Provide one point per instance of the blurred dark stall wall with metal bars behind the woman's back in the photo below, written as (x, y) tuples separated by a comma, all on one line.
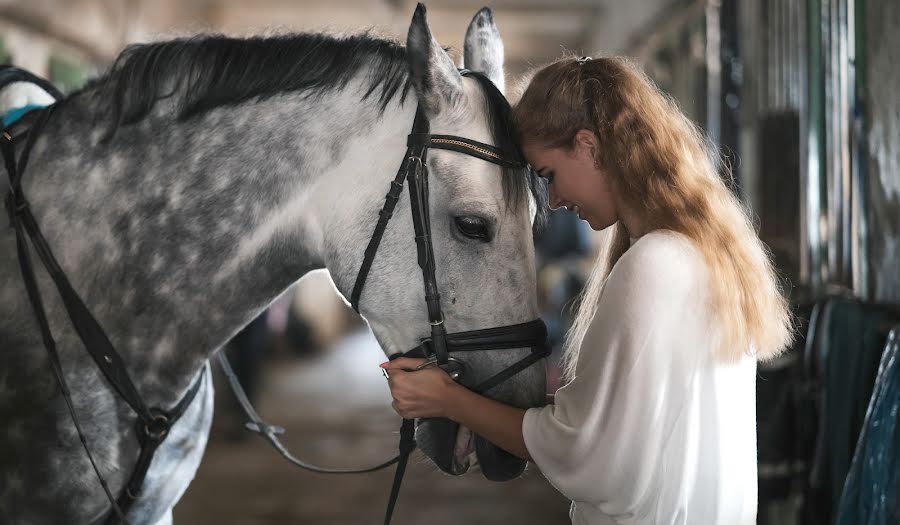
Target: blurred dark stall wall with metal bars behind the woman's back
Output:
[(795, 95)]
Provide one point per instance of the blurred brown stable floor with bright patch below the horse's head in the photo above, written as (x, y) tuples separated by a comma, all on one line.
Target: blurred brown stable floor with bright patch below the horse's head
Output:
[(335, 408)]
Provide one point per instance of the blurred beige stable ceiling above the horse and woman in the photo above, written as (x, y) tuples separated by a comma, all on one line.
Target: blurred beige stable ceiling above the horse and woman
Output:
[(534, 31)]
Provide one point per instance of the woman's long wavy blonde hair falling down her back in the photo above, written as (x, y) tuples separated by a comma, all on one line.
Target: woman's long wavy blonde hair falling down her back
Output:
[(664, 168)]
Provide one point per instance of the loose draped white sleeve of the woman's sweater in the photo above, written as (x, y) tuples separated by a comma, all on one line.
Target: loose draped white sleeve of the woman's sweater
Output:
[(602, 439)]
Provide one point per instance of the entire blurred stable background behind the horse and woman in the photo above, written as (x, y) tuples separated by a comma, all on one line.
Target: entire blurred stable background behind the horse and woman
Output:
[(800, 95)]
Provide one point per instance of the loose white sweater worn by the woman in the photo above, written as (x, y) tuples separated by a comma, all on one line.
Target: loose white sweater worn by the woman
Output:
[(652, 430)]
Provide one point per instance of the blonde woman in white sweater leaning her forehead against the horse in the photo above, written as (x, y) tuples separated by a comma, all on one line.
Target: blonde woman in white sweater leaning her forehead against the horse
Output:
[(656, 422)]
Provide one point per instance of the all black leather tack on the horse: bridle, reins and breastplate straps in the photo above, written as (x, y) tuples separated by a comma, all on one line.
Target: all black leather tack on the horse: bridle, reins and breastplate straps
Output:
[(153, 423)]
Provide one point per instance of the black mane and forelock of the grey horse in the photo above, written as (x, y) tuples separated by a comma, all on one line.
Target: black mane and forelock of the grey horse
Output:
[(207, 71)]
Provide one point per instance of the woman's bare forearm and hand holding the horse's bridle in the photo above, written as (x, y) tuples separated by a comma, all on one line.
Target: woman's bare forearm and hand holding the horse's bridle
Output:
[(431, 393)]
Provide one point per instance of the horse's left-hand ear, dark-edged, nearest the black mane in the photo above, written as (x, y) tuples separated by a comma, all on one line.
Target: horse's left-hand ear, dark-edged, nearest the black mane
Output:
[(435, 78)]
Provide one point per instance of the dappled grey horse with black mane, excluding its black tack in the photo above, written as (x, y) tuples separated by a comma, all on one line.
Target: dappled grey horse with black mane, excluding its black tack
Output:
[(195, 181)]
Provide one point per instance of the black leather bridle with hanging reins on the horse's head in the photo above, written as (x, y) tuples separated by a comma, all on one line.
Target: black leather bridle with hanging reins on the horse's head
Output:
[(436, 348)]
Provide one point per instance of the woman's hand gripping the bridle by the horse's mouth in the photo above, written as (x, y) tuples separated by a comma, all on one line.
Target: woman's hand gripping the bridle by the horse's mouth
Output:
[(418, 393)]
